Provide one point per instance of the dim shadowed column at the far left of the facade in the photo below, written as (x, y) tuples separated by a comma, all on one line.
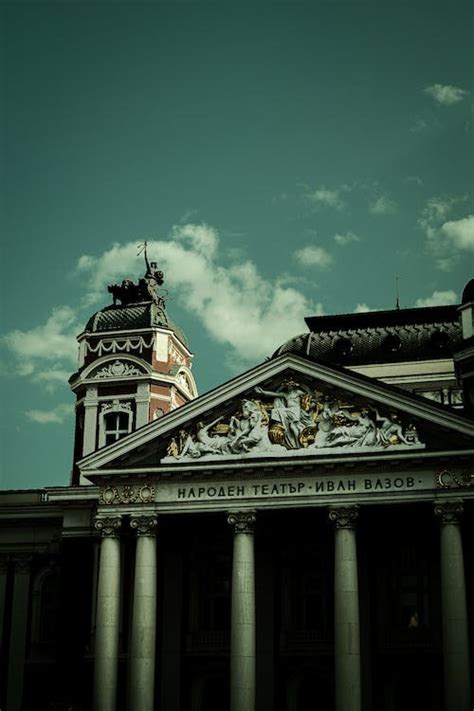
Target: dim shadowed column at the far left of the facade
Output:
[(17, 648)]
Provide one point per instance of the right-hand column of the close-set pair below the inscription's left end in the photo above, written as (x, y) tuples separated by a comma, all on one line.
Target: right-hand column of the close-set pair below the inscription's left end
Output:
[(141, 686)]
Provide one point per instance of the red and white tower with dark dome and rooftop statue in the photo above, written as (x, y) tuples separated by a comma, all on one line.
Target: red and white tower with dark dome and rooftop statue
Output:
[(134, 365)]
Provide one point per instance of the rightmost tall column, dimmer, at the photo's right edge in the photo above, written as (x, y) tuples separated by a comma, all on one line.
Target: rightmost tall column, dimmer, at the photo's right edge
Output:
[(457, 691)]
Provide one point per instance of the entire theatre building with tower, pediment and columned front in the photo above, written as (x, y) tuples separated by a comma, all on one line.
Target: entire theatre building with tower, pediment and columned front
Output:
[(300, 537)]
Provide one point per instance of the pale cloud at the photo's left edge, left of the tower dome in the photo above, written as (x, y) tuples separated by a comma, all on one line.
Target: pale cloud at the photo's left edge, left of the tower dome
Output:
[(49, 343)]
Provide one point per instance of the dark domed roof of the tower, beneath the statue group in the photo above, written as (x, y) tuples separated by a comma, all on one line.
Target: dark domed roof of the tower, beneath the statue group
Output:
[(130, 317)]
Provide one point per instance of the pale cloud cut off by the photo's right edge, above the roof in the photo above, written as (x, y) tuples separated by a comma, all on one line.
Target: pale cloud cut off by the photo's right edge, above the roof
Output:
[(444, 237)]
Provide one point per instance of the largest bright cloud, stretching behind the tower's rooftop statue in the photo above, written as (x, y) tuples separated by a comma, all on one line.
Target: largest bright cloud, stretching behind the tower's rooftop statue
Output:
[(235, 304)]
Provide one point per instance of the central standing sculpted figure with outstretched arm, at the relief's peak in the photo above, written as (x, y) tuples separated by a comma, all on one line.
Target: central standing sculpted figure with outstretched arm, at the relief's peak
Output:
[(288, 412)]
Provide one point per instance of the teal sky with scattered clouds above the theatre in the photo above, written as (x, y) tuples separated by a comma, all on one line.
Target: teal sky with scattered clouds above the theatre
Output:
[(283, 159)]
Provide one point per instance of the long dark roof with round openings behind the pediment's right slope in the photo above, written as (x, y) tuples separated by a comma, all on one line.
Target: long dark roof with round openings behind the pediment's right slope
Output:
[(380, 336)]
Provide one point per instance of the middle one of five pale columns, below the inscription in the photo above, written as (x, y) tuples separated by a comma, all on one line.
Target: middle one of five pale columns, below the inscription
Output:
[(242, 638)]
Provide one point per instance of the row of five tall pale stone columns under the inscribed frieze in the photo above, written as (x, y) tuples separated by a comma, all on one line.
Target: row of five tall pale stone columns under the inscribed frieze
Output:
[(243, 681)]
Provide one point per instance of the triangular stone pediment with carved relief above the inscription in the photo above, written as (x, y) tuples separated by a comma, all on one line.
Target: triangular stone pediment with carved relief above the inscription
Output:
[(288, 408)]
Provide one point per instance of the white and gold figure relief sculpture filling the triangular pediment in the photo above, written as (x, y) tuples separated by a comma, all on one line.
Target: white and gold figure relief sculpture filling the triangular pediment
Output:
[(293, 419)]
